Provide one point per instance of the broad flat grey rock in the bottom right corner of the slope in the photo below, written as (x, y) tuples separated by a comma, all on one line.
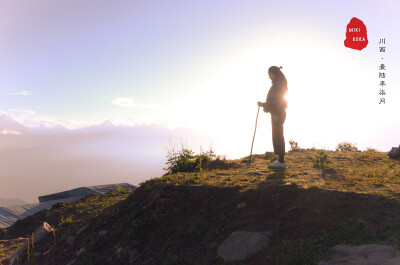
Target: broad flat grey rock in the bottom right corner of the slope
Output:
[(371, 254)]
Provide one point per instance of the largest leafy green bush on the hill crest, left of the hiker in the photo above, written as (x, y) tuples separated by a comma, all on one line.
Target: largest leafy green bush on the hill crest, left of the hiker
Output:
[(185, 160)]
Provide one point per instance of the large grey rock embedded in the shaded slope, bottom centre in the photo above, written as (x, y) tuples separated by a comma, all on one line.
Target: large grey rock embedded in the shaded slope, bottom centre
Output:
[(241, 245)]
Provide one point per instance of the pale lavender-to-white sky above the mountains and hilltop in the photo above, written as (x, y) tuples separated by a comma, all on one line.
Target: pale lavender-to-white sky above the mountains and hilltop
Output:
[(201, 65)]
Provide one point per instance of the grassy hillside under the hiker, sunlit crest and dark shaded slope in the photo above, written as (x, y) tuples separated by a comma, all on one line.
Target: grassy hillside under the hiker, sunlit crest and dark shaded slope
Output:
[(181, 218)]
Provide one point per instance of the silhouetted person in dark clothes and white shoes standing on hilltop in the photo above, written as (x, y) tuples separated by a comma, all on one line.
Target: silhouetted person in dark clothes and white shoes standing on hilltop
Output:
[(276, 104)]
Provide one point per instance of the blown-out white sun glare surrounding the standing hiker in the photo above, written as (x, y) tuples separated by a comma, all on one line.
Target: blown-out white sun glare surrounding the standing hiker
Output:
[(227, 106)]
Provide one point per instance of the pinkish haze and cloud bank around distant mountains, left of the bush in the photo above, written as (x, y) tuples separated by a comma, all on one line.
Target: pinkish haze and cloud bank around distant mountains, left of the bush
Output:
[(38, 160)]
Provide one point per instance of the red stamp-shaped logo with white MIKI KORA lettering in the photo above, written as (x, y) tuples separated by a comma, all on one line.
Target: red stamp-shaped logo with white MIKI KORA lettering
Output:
[(356, 35)]
